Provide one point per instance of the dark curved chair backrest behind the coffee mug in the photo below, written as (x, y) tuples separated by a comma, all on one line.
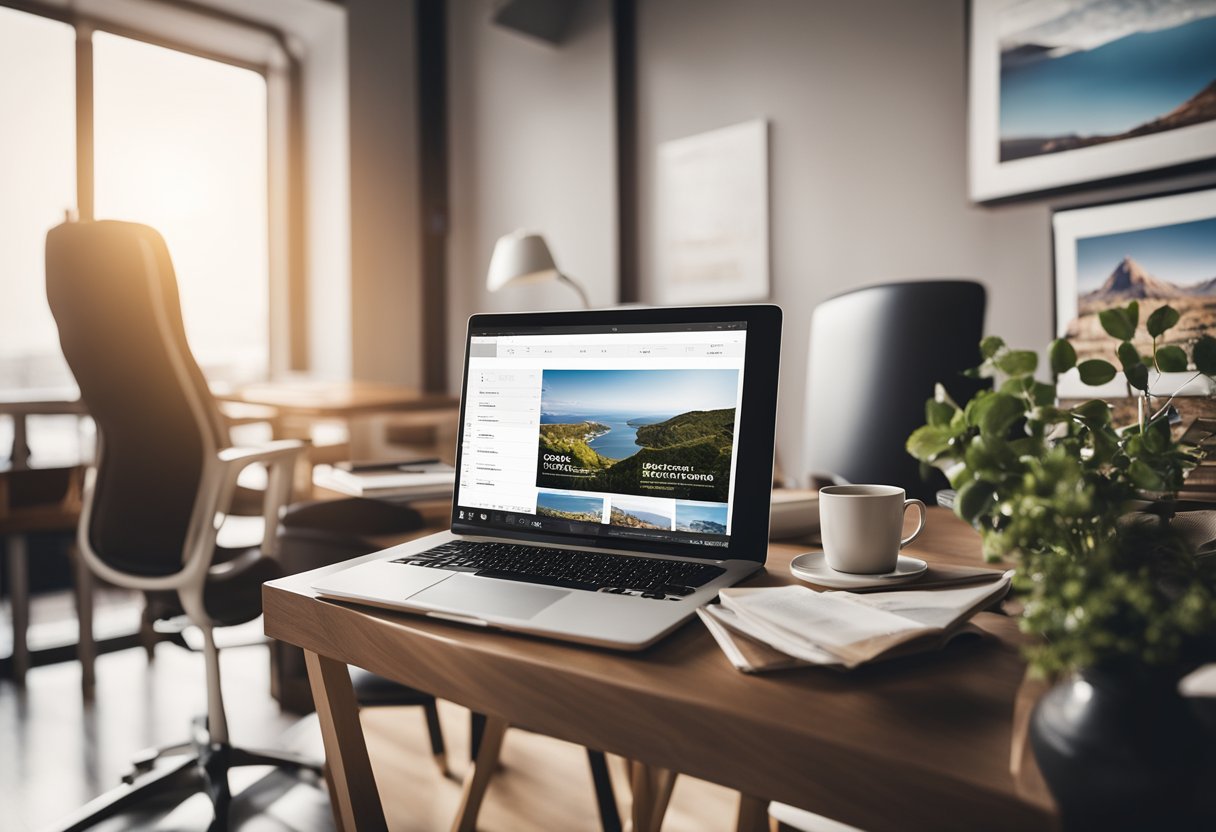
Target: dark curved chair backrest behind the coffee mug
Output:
[(875, 357)]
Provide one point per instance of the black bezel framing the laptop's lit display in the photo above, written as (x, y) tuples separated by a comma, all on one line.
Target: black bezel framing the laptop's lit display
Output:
[(755, 456)]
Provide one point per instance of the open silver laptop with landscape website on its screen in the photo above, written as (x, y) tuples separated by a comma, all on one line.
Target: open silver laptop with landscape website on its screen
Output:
[(613, 474)]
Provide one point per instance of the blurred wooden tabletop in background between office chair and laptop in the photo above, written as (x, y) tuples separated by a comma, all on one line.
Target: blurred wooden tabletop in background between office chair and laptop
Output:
[(339, 398)]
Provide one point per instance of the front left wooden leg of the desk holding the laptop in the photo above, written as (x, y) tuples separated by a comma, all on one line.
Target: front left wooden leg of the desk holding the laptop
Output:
[(357, 805)]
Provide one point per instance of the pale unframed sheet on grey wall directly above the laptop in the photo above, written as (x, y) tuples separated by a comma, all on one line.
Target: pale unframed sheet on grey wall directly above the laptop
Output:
[(713, 216)]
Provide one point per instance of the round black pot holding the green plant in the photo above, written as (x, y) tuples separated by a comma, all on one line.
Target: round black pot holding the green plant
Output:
[(1121, 751)]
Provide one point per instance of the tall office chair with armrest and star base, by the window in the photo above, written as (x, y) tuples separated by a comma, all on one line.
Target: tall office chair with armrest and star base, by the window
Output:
[(165, 475)]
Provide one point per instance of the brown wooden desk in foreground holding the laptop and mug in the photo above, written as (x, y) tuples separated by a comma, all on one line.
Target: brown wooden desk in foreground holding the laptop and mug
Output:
[(916, 744)]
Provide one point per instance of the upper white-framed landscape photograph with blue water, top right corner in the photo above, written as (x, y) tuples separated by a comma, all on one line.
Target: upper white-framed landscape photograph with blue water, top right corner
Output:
[(1069, 92)]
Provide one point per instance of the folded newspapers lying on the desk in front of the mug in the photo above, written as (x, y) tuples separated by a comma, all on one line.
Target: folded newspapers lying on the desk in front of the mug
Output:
[(773, 628)]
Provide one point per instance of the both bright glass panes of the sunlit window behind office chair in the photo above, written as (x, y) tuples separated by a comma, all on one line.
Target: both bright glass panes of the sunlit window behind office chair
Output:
[(179, 143)]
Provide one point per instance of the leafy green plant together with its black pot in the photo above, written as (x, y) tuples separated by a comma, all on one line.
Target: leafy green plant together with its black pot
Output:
[(1117, 595)]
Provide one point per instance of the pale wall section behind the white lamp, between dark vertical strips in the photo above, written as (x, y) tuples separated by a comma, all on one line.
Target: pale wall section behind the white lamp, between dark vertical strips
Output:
[(533, 145)]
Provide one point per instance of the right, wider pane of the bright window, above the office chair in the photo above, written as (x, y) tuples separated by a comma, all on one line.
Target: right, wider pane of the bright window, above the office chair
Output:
[(181, 145)]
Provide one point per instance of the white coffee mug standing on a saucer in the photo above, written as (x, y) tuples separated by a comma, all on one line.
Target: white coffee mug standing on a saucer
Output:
[(862, 527)]
